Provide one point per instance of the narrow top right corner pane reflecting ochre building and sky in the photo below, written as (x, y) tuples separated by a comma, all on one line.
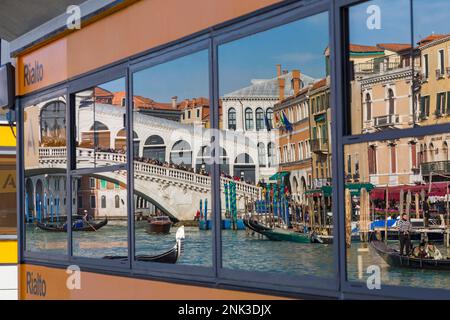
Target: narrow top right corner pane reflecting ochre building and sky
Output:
[(432, 41)]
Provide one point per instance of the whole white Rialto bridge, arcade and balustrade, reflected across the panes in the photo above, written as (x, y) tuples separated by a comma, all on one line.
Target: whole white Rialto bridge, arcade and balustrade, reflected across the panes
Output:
[(176, 192)]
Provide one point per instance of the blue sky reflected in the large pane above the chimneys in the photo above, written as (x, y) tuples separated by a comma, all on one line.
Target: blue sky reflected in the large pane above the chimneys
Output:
[(297, 45)]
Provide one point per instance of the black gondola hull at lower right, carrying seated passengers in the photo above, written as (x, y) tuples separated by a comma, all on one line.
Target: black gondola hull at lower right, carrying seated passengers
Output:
[(394, 259)]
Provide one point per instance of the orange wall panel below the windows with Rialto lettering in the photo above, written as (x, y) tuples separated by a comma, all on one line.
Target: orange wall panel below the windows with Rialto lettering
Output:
[(50, 283)]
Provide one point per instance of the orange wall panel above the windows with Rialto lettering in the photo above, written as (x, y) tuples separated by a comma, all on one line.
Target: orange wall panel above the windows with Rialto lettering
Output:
[(141, 26)]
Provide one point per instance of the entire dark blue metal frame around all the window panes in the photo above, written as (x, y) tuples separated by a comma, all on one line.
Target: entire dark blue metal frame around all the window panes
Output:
[(216, 276)]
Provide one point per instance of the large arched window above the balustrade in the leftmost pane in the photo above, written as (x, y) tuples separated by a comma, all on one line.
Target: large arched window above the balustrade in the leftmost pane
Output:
[(53, 121)]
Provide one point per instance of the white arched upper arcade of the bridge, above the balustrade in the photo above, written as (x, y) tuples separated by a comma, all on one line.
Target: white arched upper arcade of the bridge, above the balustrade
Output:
[(172, 141)]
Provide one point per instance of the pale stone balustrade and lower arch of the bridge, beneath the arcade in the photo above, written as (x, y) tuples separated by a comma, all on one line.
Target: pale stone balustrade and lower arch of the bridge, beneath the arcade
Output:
[(176, 192)]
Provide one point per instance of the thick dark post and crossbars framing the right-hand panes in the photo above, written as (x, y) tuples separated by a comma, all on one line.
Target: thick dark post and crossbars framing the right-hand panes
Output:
[(351, 288)]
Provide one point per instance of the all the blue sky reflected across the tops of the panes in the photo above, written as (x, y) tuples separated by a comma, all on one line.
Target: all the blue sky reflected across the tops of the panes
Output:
[(297, 45)]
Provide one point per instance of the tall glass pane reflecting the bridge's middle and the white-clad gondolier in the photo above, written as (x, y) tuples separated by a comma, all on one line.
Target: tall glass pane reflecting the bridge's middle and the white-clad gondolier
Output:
[(172, 187)]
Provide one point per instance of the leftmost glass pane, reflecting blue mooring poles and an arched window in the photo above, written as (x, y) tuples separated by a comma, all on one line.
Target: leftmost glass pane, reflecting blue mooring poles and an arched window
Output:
[(45, 168)]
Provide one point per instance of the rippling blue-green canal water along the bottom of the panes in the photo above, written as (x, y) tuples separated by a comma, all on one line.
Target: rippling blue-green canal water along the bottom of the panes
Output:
[(240, 251)]
